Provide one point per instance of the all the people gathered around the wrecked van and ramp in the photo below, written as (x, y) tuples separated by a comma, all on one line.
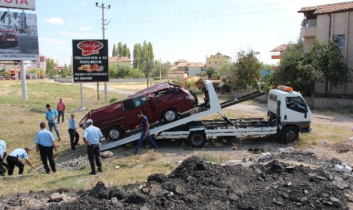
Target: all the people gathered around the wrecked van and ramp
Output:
[(45, 142)]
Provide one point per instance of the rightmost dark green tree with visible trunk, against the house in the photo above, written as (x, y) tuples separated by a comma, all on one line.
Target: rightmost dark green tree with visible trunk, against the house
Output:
[(330, 63)]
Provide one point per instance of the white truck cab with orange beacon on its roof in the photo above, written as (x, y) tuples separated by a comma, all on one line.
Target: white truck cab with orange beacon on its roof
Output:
[(289, 111)]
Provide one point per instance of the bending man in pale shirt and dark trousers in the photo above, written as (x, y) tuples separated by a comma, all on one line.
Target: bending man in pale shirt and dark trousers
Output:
[(13, 159)]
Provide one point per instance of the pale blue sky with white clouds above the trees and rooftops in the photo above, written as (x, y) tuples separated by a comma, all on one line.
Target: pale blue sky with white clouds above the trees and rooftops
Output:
[(177, 29)]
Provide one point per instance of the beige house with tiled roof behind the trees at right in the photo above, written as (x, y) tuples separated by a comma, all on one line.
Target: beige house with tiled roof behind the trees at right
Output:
[(335, 22)]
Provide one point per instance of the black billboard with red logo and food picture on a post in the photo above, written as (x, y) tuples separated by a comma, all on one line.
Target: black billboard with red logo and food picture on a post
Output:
[(90, 60)]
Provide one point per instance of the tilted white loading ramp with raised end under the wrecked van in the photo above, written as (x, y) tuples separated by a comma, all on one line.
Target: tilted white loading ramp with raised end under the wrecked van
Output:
[(214, 107)]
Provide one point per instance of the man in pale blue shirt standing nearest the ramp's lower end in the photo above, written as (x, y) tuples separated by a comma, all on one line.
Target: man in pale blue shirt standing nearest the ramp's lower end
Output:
[(92, 136)]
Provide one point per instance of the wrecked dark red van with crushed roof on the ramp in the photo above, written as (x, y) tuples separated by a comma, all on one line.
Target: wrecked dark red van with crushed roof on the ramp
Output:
[(163, 101)]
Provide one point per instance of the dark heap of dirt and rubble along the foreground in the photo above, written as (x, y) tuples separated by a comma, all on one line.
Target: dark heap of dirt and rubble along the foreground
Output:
[(198, 184)]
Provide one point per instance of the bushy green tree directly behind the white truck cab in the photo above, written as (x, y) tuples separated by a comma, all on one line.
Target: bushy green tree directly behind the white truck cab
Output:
[(296, 69)]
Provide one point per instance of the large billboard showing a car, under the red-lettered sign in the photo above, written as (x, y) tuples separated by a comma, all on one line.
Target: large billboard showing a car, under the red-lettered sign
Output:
[(18, 36)]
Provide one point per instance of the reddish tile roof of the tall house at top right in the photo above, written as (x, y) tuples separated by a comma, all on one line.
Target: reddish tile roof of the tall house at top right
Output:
[(329, 8)]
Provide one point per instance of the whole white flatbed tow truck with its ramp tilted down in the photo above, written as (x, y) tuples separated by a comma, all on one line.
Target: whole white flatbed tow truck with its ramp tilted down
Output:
[(288, 115)]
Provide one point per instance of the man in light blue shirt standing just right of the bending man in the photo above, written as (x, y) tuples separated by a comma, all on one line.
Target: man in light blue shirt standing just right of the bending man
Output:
[(45, 143)]
